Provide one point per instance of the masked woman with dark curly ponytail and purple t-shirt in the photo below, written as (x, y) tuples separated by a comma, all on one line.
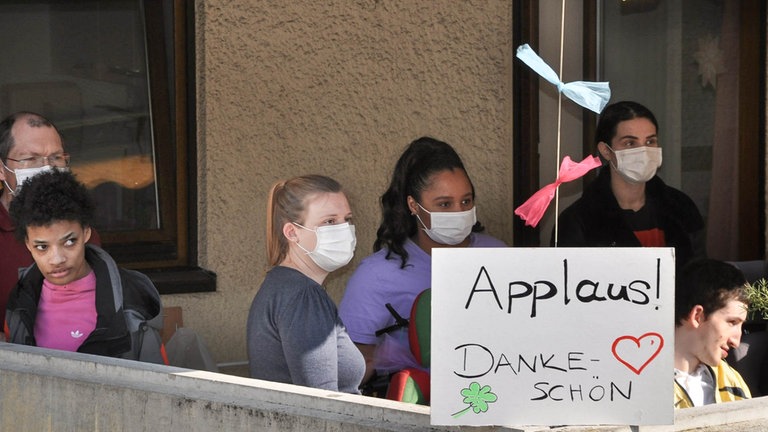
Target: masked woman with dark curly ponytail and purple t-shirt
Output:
[(430, 203)]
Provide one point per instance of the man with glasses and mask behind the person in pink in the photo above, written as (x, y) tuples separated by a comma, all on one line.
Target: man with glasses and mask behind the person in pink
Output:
[(29, 144)]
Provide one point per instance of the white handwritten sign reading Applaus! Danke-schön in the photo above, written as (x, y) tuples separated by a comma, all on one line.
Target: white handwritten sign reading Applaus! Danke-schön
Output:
[(552, 336)]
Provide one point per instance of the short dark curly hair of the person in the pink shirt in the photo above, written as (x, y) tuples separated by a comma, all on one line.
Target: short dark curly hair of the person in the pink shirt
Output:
[(49, 197)]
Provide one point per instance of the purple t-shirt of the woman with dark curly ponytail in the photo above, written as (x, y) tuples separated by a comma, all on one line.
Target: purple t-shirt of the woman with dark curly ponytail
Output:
[(378, 281)]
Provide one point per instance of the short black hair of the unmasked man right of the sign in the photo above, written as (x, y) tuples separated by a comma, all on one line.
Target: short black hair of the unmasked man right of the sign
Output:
[(709, 283)]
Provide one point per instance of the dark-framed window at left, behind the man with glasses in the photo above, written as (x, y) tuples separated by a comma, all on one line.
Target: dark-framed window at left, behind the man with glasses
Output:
[(116, 77)]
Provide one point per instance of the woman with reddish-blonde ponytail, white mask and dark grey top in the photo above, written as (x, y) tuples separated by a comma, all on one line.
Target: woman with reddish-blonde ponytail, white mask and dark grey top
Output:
[(294, 333)]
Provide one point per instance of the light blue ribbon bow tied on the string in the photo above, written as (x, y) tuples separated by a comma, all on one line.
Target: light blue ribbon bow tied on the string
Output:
[(591, 95)]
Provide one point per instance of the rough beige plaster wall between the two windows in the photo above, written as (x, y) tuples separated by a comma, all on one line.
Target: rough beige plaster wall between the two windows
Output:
[(340, 88)]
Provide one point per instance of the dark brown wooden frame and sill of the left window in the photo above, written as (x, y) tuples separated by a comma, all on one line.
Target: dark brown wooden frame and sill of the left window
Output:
[(168, 256)]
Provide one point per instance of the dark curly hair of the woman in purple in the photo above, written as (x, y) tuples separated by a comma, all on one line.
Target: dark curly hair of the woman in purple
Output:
[(413, 173)]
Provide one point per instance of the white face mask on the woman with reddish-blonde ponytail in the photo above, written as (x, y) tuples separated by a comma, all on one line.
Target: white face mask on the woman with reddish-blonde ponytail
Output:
[(335, 245)]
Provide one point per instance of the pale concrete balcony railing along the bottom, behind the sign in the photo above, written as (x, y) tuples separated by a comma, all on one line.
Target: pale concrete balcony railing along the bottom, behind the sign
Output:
[(54, 390)]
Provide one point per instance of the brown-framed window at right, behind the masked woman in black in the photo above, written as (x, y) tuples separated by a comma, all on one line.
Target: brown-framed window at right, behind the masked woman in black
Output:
[(700, 67)]
